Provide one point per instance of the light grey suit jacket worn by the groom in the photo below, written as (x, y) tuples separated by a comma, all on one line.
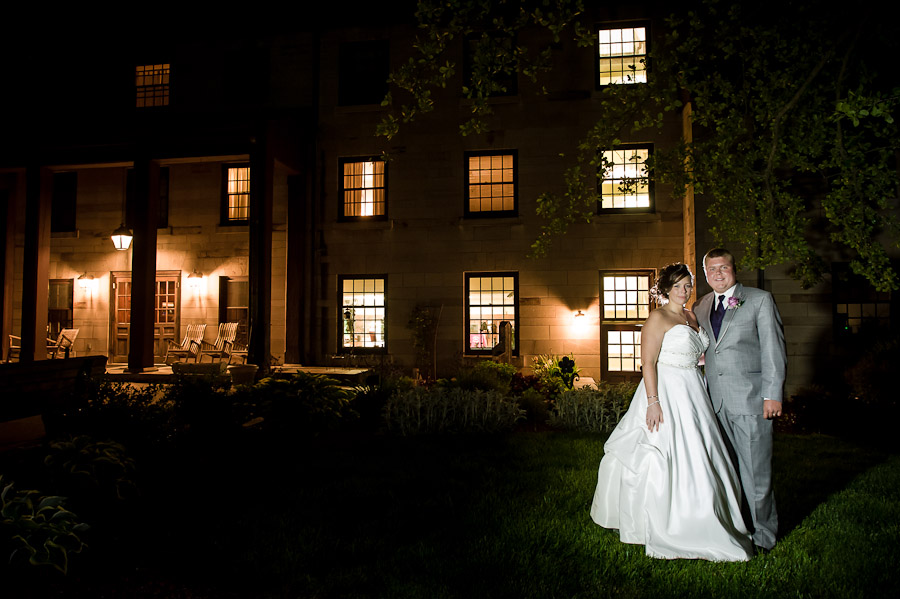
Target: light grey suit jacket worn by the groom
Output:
[(747, 362)]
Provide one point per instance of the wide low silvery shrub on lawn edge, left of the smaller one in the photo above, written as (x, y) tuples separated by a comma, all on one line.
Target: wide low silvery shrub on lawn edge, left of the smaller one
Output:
[(450, 410)]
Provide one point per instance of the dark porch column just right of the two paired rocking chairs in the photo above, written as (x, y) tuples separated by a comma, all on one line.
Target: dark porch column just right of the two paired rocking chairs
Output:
[(262, 174)]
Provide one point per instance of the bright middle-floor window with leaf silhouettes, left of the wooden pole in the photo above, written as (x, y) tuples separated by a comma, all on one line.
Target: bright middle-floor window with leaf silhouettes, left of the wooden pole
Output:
[(625, 183)]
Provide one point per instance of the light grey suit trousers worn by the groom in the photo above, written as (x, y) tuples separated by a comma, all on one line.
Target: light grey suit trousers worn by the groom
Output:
[(751, 439)]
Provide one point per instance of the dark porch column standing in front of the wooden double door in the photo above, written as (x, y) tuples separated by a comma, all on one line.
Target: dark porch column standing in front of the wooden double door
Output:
[(143, 264)]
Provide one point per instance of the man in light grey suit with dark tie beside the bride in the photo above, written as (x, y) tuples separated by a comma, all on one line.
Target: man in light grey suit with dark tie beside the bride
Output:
[(745, 366)]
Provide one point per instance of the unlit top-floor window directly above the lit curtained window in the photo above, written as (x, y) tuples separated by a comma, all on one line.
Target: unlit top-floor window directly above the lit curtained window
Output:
[(363, 72)]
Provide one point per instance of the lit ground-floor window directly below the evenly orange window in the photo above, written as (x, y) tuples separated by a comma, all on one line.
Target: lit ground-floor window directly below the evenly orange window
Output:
[(491, 298)]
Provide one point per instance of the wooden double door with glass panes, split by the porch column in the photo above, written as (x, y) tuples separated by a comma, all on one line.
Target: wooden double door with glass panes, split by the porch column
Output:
[(166, 308)]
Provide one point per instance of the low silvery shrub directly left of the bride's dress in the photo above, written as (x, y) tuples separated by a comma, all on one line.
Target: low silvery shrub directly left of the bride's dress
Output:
[(594, 409)]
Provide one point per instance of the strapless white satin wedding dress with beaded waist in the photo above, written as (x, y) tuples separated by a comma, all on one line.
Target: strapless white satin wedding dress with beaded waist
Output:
[(675, 490)]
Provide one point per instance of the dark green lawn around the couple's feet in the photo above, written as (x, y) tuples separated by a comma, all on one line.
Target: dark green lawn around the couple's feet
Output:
[(461, 516)]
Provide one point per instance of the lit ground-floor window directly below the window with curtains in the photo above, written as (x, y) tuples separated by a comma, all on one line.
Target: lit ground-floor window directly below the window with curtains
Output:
[(362, 312)]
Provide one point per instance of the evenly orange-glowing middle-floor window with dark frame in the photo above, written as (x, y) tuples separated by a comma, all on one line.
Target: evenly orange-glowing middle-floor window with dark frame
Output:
[(491, 187)]
